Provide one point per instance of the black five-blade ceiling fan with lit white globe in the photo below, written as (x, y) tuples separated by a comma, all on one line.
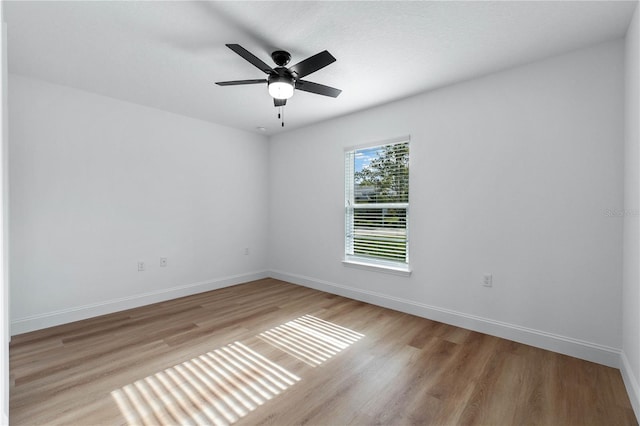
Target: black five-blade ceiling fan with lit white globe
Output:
[(281, 80)]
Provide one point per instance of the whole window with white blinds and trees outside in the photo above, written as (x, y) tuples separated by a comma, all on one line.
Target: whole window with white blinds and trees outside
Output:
[(377, 205)]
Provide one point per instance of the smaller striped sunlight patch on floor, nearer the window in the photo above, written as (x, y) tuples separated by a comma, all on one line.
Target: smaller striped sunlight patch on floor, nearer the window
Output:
[(310, 339)]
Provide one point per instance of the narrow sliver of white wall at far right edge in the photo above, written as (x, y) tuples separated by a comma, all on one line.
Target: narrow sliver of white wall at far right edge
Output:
[(631, 273)]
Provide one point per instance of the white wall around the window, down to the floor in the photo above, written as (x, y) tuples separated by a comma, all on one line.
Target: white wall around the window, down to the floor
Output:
[(511, 174)]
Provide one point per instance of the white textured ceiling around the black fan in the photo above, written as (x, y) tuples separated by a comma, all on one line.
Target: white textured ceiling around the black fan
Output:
[(167, 55)]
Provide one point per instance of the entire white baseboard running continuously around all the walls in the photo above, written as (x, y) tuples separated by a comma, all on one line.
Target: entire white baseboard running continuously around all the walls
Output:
[(565, 345)]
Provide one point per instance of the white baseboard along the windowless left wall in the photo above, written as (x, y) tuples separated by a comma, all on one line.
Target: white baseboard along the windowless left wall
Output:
[(50, 319)]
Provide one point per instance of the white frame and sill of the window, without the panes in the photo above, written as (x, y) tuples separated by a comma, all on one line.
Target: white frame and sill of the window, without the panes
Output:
[(363, 262)]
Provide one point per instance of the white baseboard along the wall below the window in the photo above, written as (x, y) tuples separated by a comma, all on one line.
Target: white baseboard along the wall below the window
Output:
[(565, 345)]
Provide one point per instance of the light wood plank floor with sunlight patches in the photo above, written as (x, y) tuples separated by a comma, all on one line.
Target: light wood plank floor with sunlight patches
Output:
[(270, 352)]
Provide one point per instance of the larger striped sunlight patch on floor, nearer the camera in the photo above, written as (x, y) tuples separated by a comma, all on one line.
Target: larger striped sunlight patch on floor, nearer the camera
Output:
[(218, 388)]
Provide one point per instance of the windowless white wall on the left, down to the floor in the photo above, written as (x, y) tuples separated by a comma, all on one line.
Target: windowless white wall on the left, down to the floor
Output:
[(98, 184)]
